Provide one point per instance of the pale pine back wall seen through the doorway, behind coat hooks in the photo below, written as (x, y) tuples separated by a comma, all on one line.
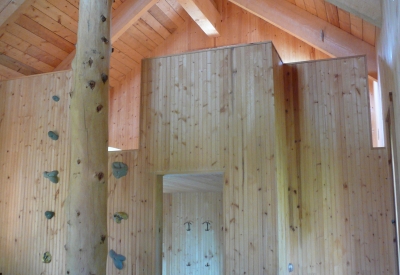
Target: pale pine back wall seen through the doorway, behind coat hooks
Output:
[(196, 247)]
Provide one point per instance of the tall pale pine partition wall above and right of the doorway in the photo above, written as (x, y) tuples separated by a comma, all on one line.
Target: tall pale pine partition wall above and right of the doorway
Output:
[(213, 111)]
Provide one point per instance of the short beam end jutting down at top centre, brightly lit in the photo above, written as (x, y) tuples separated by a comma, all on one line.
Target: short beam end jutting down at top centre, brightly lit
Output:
[(204, 13)]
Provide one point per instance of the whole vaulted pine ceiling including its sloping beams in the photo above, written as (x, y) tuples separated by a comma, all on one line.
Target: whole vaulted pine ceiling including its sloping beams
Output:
[(39, 36)]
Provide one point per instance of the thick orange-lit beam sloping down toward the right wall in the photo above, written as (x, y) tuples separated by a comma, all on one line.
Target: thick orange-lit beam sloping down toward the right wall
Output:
[(311, 29)]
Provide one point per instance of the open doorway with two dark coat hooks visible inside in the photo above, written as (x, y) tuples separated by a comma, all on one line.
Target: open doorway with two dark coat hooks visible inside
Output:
[(192, 222)]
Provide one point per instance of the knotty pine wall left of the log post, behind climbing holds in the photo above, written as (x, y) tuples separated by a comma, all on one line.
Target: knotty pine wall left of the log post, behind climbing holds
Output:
[(27, 113)]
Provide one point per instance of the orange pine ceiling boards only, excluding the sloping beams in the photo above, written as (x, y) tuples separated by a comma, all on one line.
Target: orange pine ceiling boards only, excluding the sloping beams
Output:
[(42, 33)]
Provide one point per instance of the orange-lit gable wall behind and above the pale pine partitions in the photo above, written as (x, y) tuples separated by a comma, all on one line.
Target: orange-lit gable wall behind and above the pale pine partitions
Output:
[(238, 27)]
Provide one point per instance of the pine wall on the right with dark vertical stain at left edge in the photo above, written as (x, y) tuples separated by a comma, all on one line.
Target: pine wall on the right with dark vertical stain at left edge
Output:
[(340, 197)]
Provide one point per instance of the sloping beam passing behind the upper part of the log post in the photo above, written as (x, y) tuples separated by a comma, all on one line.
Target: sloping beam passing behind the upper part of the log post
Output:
[(124, 17)]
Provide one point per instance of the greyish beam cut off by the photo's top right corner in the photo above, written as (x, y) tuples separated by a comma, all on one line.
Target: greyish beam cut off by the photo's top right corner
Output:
[(369, 10)]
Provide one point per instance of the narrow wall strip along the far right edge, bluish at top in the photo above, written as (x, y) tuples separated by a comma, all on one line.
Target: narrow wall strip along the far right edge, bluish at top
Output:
[(388, 49)]
